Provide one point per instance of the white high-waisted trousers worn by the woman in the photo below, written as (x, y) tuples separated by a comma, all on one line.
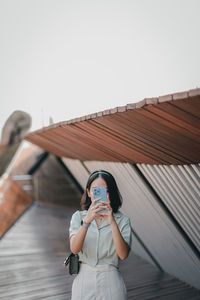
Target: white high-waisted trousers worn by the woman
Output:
[(102, 282)]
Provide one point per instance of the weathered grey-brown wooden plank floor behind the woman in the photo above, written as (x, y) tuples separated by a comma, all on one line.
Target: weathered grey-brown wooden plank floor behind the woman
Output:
[(32, 255)]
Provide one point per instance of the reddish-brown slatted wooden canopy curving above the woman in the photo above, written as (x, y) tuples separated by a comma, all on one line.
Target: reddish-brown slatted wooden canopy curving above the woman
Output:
[(163, 130)]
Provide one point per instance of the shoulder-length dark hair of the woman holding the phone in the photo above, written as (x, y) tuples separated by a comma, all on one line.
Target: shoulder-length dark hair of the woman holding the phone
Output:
[(114, 194)]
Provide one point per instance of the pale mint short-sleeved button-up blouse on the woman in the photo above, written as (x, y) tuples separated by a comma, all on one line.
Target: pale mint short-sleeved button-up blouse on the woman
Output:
[(98, 247)]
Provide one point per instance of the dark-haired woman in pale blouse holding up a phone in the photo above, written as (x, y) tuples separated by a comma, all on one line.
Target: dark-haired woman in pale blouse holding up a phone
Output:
[(100, 239)]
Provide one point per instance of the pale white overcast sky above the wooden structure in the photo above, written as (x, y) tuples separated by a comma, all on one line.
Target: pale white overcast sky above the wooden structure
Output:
[(66, 59)]
